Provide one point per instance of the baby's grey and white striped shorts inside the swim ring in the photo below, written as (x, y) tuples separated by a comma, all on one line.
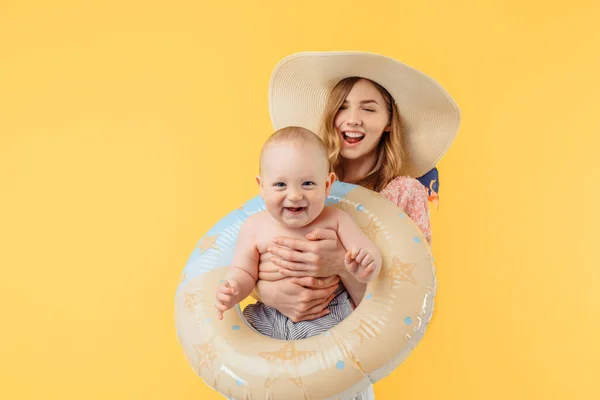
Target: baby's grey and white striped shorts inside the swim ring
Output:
[(270, 322)]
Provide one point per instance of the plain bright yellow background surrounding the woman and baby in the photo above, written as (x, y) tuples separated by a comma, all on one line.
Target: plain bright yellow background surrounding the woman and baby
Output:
[(128, 130)]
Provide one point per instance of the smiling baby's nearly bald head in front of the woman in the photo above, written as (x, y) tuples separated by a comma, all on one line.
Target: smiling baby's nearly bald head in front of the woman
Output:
[(294, 176)]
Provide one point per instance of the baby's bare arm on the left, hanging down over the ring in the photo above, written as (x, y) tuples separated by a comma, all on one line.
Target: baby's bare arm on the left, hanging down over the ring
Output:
[(243, 272)]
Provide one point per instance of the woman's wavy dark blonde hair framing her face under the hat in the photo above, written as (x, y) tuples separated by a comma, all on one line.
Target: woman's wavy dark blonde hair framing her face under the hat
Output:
[(390, 154)]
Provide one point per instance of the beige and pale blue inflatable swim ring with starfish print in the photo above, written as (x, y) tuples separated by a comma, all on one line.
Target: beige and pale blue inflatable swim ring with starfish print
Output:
[(238, 362)]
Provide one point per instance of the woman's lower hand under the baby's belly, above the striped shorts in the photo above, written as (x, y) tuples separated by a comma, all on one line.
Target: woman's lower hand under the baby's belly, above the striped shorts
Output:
[(299, 299)]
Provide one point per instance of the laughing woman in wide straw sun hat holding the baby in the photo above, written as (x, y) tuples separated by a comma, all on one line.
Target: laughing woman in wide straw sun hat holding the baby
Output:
[(382, 122)]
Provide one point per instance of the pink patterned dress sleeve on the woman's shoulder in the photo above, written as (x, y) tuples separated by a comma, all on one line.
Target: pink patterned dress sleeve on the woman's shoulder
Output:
[(411, 197)]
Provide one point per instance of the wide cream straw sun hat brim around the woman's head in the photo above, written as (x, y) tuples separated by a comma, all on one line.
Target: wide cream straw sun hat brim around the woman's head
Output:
[(301, 82)]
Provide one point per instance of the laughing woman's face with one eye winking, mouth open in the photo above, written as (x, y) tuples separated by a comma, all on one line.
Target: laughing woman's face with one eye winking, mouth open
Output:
[(361, 120)]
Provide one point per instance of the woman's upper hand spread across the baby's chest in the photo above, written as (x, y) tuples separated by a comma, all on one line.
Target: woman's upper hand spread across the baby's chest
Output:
[(320, 255)]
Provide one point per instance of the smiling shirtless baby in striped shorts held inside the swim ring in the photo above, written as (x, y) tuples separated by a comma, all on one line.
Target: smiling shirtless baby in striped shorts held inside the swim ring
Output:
[(294, 182)]
